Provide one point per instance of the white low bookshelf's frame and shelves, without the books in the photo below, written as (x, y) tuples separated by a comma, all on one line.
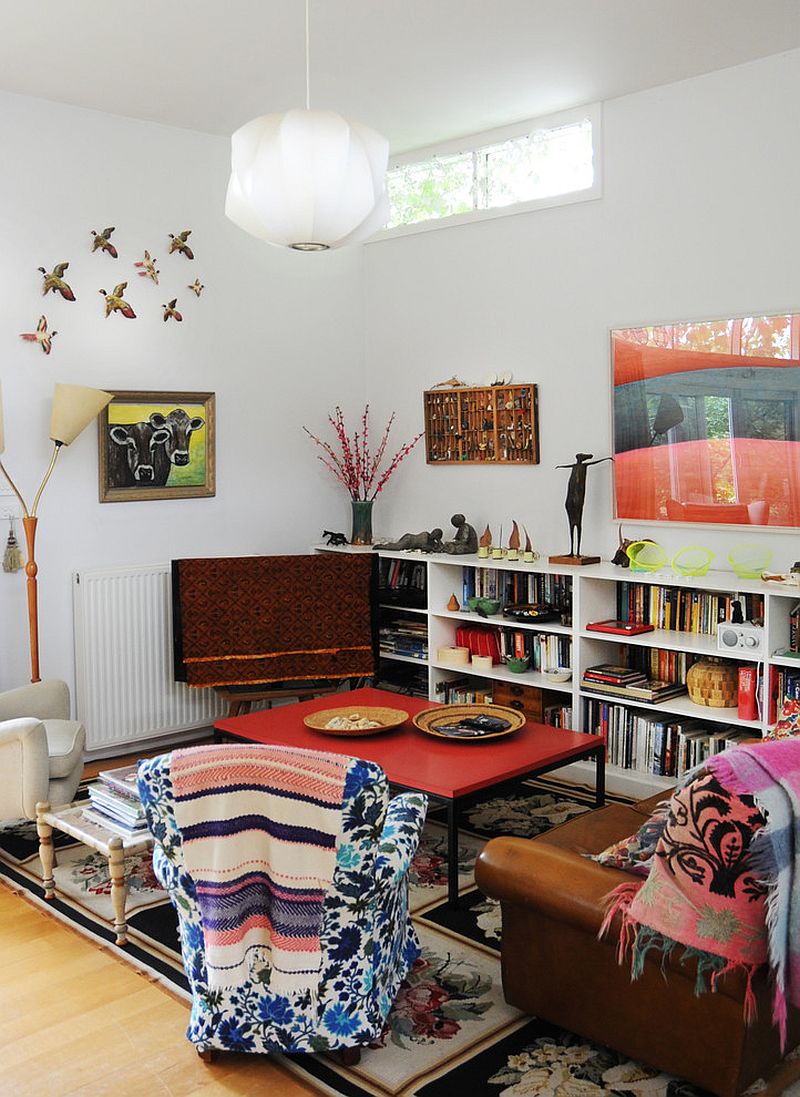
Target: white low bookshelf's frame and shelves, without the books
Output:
[(594, 597)]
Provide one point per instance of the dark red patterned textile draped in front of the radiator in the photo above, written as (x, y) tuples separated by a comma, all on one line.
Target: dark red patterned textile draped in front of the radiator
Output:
[(246, 620)]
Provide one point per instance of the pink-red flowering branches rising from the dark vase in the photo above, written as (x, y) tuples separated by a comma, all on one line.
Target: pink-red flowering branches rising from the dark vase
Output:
[(353, 463)]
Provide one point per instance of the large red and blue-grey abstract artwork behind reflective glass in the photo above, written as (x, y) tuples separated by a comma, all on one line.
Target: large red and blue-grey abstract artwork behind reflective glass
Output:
[(707, 422)]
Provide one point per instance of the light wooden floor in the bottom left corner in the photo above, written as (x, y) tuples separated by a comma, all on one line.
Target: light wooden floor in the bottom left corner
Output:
[(77, 1022)]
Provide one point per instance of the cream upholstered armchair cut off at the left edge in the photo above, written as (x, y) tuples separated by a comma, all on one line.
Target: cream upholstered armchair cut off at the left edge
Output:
[(41, 749)]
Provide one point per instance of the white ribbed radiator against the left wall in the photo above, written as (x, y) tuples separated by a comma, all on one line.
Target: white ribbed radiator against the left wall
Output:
[(123, 653)]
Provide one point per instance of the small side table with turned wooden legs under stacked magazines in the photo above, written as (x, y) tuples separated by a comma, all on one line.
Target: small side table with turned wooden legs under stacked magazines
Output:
[(72, 821)]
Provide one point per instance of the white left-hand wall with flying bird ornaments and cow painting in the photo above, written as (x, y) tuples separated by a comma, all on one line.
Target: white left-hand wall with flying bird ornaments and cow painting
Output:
[(277, 335)]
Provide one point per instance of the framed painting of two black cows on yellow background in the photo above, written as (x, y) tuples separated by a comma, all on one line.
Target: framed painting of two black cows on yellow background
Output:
[(157, 446)]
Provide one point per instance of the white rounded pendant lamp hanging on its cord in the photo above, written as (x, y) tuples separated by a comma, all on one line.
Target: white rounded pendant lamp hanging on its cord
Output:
[(309, 180)]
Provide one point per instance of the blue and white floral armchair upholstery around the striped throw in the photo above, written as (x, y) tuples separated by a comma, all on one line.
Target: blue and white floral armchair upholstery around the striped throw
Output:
[(368, 942)]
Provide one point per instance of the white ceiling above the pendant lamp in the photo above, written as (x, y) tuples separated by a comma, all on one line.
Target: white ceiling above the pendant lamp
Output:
[(418, 71)]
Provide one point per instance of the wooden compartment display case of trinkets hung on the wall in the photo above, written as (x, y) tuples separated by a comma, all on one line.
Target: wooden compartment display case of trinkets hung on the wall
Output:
[(495, 425)]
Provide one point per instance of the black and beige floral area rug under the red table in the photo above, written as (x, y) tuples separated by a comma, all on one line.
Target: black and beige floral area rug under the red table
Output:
[(450, 1032)]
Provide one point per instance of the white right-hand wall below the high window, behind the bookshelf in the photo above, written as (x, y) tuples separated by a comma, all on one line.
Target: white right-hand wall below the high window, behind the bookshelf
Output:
[(698, 221)]
